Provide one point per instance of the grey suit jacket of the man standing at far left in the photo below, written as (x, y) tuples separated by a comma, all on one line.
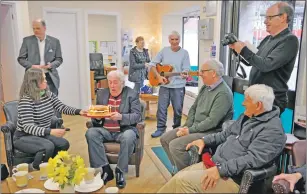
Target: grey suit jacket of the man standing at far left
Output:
[(29, 55)]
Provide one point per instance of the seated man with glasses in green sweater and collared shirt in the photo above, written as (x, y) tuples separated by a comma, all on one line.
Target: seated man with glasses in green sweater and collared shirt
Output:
[(212, 107)]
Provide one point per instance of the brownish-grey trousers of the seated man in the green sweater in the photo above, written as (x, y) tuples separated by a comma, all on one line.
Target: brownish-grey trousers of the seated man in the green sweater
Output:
[(175, 147)]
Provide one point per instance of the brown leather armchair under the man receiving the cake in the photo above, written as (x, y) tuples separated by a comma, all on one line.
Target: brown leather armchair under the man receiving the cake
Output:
[(112, 148)]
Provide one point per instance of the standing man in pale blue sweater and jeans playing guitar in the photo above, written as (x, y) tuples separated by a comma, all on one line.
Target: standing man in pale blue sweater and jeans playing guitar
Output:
[(173, 91)]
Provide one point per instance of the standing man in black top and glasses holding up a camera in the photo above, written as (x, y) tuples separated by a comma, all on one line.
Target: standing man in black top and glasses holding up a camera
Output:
[(274, 61)]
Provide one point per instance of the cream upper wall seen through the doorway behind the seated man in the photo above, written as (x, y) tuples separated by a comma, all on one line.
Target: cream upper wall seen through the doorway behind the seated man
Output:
[(102, 28)]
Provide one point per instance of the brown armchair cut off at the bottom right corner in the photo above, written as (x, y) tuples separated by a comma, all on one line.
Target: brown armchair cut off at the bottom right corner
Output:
[(298, 159)]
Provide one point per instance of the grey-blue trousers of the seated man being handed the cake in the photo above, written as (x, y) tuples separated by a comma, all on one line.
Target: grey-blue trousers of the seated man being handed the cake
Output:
[(96, 136)]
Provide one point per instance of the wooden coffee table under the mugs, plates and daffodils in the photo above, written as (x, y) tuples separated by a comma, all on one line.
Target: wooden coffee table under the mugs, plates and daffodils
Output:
[(38, 184)]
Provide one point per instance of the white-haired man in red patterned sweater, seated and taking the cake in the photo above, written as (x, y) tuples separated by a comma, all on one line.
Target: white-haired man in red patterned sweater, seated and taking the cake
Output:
[(119, 127)]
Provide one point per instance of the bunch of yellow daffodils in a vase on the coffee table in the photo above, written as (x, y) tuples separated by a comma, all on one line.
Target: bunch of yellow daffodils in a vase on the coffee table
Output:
[(66, 170)]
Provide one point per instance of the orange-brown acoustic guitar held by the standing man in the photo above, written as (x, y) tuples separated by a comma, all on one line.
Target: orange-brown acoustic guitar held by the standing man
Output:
[(165, 71)]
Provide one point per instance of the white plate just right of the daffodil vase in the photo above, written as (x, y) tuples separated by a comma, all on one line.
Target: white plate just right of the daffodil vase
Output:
[(91, 187)]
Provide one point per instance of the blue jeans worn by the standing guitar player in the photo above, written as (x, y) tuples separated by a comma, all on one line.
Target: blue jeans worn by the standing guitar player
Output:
[(167, 95)]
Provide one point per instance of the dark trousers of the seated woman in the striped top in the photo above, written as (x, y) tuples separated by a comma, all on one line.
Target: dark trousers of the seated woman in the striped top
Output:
[(49, 145)]
